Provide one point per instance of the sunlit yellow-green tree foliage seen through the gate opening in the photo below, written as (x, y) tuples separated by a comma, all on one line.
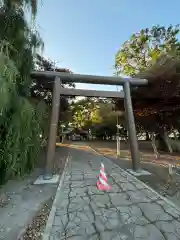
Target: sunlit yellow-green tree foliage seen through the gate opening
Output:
[(91, 113)]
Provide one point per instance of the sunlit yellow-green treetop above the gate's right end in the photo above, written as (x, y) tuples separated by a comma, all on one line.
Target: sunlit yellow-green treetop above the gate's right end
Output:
[(145, 47)]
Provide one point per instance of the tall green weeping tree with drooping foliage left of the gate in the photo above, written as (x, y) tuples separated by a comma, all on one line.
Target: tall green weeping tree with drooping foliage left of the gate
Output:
[(22, 122)]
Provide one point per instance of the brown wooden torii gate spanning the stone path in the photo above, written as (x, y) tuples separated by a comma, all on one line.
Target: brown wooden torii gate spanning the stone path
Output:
[(57, 78)]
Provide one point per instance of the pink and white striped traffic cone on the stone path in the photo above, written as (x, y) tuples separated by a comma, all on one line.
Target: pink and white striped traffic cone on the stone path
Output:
[(102, 184)]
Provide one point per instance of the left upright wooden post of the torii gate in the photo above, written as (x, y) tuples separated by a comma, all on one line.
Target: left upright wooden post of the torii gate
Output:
[(51, 148)]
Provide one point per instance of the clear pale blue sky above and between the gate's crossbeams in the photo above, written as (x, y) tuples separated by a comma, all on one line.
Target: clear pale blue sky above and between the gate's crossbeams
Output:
[(84, 35)]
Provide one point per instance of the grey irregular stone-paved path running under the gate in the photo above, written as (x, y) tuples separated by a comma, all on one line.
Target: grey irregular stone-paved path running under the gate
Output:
[(130, 211)]
